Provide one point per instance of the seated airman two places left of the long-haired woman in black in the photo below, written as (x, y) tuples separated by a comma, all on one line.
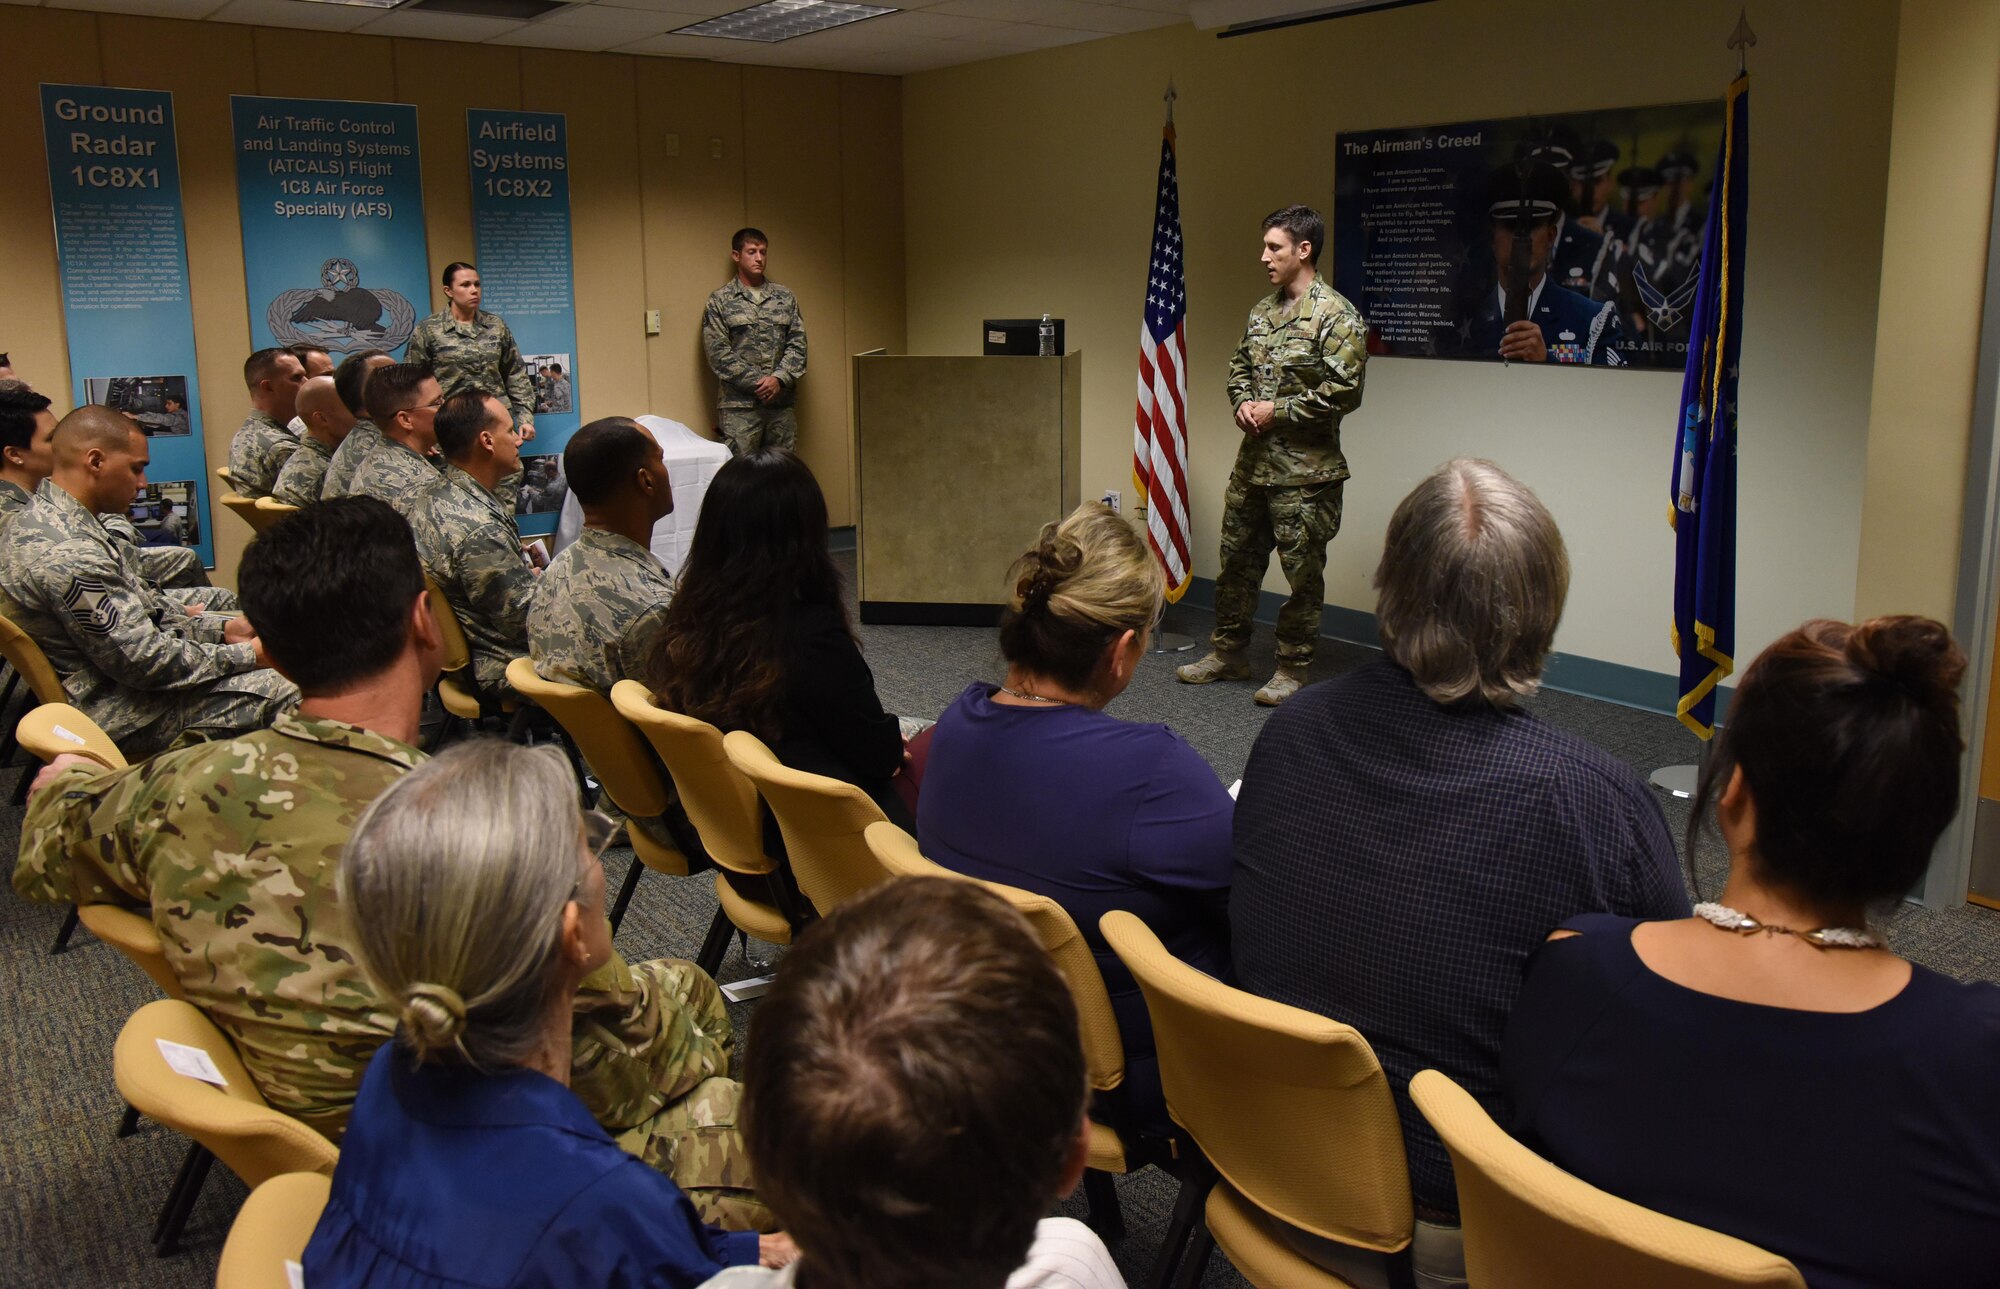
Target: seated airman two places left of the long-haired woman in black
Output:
[(469, 539)]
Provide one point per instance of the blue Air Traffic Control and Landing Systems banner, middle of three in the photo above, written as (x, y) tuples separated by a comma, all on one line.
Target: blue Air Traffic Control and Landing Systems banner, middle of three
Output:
[(333, 213)]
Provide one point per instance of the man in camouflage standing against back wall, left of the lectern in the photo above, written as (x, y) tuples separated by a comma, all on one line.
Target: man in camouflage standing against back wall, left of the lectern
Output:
[(757, 347)]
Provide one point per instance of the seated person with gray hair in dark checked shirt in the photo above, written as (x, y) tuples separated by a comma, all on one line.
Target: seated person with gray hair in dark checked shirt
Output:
[(1407, 834)]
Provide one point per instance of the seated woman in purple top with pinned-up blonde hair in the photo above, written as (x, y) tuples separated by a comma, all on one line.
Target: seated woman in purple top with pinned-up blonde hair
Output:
[(1033, 786)]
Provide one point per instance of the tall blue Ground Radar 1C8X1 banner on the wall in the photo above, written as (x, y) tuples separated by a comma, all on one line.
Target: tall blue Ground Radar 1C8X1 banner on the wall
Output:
[(123, 251)]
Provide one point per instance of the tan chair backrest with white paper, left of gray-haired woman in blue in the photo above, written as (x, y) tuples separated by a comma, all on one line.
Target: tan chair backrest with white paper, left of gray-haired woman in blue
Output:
[(233, 1120)]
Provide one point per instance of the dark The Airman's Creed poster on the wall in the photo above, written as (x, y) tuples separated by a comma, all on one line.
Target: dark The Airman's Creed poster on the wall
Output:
[(1537, 239)]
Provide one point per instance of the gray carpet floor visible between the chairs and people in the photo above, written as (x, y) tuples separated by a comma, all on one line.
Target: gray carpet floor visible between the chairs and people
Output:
[(77, 1202)]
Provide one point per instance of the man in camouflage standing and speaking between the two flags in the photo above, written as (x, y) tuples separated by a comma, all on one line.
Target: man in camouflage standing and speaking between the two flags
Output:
[(1295, 375)]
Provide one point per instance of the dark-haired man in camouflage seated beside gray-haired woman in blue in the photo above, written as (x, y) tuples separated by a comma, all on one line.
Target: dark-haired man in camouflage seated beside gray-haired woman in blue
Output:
[(235, 850)]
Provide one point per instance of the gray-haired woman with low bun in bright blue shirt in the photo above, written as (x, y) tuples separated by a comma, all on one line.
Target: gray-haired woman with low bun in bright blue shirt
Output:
[(477, 900)]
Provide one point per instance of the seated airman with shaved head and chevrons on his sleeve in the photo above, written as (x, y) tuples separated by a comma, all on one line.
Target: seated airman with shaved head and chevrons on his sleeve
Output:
[(139, 664)]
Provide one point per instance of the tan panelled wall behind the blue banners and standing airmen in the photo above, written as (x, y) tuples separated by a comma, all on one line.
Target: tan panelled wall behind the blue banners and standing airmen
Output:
[(811, 157)]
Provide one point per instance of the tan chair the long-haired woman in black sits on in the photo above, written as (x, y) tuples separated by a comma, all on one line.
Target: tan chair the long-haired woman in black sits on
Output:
[(723, 806)]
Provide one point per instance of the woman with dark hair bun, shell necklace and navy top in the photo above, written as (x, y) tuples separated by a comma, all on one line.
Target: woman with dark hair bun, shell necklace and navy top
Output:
[(1769, 1068)]
